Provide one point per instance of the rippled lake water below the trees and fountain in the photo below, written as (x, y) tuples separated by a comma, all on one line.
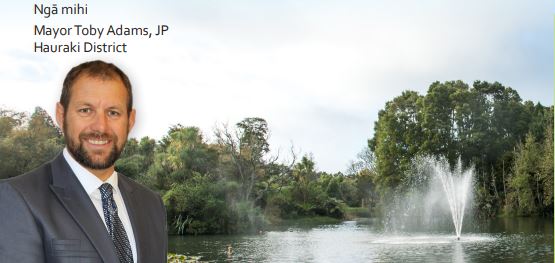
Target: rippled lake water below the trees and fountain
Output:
[(499, 240)]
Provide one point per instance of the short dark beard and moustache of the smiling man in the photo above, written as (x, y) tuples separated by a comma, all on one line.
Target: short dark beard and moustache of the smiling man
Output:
[(83, 157)]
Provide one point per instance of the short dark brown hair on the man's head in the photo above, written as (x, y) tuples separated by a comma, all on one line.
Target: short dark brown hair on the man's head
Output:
[(95, 69)]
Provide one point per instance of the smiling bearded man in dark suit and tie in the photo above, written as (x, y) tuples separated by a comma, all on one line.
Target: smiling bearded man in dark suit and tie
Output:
[(76, 208)]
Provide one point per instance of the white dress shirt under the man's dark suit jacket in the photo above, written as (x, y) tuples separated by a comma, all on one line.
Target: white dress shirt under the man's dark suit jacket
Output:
[(91, 183)]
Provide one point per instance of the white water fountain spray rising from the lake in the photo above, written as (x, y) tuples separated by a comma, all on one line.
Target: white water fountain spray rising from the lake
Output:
[(432, 198)]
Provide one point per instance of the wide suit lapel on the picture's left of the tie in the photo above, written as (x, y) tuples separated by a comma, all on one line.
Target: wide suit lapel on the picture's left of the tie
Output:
[(76, 201)]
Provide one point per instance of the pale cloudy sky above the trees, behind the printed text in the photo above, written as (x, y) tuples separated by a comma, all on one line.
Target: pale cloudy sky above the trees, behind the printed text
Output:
[(317, 71)]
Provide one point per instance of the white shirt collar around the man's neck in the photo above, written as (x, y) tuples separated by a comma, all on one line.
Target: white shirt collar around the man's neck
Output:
[(88, 180)]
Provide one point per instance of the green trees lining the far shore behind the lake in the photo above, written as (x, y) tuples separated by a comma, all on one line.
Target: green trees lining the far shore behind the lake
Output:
[(234, 184)]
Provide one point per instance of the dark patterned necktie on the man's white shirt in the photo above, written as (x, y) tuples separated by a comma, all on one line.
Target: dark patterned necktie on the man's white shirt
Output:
[(115, 227)]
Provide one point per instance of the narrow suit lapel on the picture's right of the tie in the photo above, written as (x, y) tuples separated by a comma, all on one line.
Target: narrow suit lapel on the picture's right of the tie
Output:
[(132, 205)]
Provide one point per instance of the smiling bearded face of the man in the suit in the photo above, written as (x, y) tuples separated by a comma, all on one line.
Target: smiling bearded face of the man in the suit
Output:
[(96, 123)]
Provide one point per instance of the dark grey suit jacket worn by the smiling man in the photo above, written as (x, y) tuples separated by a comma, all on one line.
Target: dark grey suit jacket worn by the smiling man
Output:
[(46, 216)]
